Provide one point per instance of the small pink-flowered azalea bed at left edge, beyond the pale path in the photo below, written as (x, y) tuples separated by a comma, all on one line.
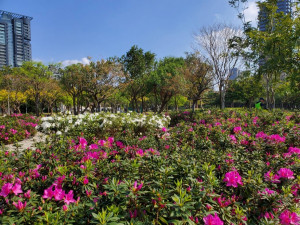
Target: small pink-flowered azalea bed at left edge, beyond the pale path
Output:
[(17, 127)]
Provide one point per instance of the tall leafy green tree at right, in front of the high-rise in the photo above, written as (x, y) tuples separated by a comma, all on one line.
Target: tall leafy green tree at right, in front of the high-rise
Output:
[(276, 49)]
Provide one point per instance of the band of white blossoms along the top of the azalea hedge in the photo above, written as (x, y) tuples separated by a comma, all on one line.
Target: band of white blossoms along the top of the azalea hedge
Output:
[(64, 123)]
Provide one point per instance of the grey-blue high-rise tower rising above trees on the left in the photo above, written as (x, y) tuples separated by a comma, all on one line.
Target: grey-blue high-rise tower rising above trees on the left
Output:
[(15, 37)]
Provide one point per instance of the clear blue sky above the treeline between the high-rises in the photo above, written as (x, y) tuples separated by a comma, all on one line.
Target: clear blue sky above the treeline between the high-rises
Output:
[(70, 30)]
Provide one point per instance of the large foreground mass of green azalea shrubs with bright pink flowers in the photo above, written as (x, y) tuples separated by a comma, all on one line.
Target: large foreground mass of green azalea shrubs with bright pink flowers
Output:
[(219, 167)]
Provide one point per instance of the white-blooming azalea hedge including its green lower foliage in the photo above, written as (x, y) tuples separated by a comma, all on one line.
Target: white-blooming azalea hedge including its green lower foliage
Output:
[(102, 124)]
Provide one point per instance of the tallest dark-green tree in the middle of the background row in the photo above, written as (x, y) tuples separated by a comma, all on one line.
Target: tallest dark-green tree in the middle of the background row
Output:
[(136, 65)]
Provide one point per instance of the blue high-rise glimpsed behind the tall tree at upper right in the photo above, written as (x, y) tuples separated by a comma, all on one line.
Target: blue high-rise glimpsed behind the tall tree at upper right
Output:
[(284, 6)]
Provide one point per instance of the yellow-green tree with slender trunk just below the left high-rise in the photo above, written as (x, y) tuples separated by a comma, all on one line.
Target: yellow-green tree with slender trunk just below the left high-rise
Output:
[(37, 76)]
